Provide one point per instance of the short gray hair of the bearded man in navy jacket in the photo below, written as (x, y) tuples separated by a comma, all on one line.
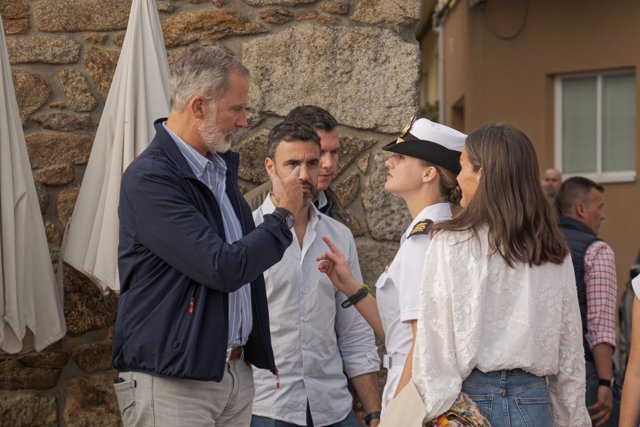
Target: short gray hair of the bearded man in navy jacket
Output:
[(204, 71)]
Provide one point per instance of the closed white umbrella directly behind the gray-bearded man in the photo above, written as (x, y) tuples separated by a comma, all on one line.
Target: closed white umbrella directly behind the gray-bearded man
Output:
[(138, 95)]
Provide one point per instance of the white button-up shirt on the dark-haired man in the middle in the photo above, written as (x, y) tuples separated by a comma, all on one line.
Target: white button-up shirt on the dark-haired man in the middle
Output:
[(315, 341)]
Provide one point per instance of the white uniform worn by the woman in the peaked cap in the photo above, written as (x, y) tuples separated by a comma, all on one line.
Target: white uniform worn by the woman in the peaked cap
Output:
[(397, 292)]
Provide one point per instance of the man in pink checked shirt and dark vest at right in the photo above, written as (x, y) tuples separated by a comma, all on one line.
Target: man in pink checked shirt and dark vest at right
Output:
[(580, 204)]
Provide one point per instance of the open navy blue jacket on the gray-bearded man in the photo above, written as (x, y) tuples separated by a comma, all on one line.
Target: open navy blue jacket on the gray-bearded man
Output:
[(176, 269)]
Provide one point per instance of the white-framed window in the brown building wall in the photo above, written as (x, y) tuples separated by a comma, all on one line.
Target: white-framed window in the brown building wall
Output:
[(596, 125)]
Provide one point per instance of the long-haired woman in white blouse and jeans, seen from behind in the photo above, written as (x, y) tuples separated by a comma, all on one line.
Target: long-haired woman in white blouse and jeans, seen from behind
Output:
[(498, 314)]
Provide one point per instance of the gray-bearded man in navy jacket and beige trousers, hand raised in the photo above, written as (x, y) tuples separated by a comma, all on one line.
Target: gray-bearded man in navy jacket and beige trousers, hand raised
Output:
[(192, 316)]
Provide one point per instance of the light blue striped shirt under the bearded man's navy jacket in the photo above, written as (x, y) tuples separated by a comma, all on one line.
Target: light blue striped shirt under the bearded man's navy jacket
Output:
[(211, 172)]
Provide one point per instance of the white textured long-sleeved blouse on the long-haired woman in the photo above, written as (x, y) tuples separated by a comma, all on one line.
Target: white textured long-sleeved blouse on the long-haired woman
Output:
[(477, 312)]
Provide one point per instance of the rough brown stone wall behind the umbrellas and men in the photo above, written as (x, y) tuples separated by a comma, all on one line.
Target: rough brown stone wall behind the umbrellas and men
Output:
[(357, 58)]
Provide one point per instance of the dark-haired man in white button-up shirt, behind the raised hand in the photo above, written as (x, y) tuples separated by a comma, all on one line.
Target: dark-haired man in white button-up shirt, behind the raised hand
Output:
[(316, 341)]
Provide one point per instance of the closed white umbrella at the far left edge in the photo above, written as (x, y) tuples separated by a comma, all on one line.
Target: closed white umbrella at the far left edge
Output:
[(31, 312)]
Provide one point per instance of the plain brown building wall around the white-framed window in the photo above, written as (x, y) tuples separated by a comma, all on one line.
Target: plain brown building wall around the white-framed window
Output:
[(512, 81)]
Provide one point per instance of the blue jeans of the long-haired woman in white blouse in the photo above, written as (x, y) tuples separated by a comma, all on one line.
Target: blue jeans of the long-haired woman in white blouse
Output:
[(511, 398)]
